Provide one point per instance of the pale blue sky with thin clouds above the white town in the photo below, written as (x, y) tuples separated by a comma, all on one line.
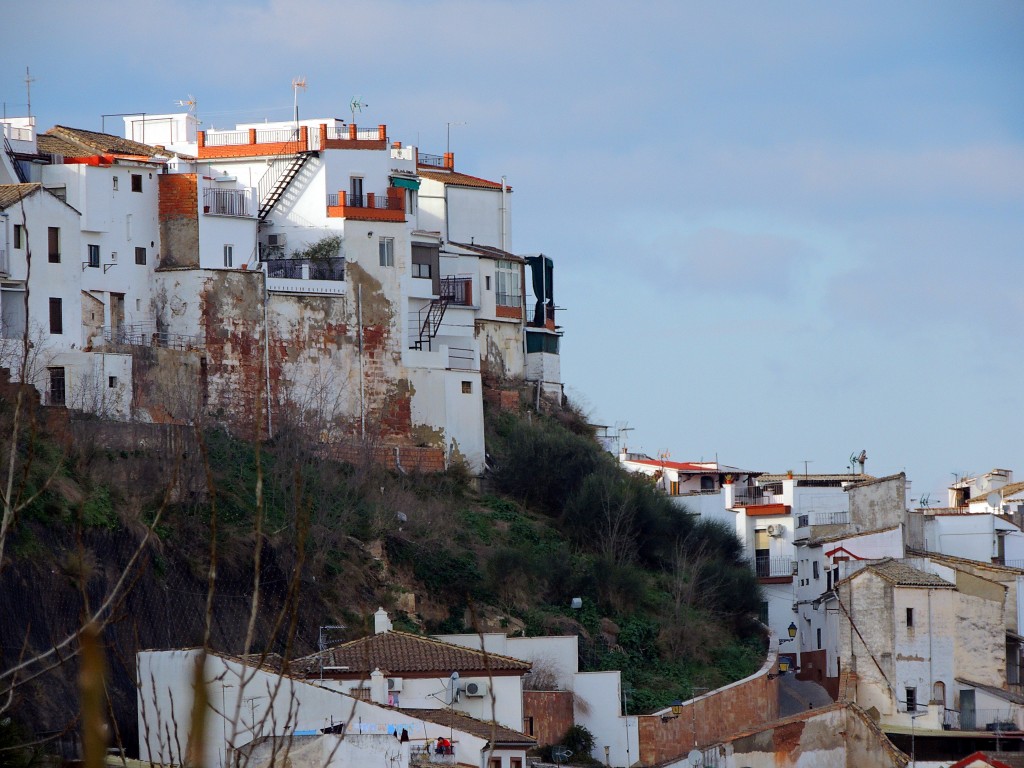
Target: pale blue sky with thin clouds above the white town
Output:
[(783, 232)]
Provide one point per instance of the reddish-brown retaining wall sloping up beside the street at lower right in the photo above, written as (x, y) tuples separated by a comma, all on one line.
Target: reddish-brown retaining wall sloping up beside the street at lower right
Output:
[(743, 706)]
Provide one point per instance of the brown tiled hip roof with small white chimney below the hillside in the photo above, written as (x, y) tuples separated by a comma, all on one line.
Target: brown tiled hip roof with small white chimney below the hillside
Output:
[(401, 653)]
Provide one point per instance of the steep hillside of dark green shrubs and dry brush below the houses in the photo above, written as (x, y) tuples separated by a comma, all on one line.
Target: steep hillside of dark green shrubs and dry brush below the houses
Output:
[(164, 535)]
